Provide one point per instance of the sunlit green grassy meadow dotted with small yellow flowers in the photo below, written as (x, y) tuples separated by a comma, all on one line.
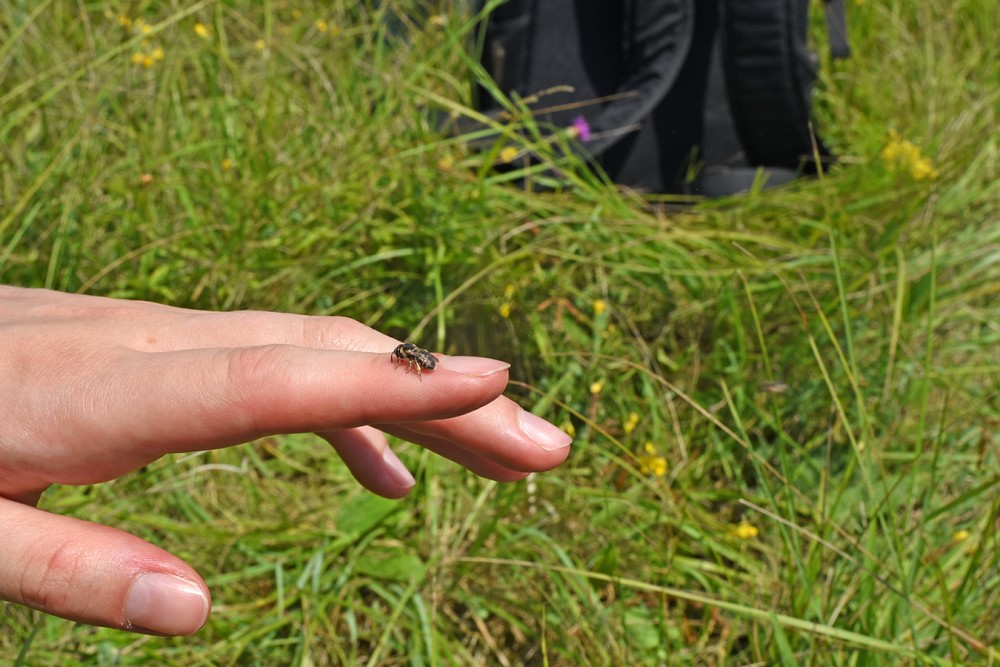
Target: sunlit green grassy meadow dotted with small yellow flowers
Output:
[(785, 406)]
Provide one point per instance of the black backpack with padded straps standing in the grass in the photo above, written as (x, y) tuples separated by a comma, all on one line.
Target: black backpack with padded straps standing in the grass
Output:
[(667, 88)]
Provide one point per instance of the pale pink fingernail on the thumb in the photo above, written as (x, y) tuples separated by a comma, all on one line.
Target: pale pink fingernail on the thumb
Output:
[(165, 604)]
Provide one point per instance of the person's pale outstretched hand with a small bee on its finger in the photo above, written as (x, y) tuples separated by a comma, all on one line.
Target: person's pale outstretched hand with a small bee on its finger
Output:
[(94, 388)]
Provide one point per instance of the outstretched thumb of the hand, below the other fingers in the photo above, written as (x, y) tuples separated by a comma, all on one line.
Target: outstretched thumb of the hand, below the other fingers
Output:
[(96, 574)]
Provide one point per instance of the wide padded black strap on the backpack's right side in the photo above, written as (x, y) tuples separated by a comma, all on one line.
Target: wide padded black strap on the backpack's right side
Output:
[(769, 73)]
